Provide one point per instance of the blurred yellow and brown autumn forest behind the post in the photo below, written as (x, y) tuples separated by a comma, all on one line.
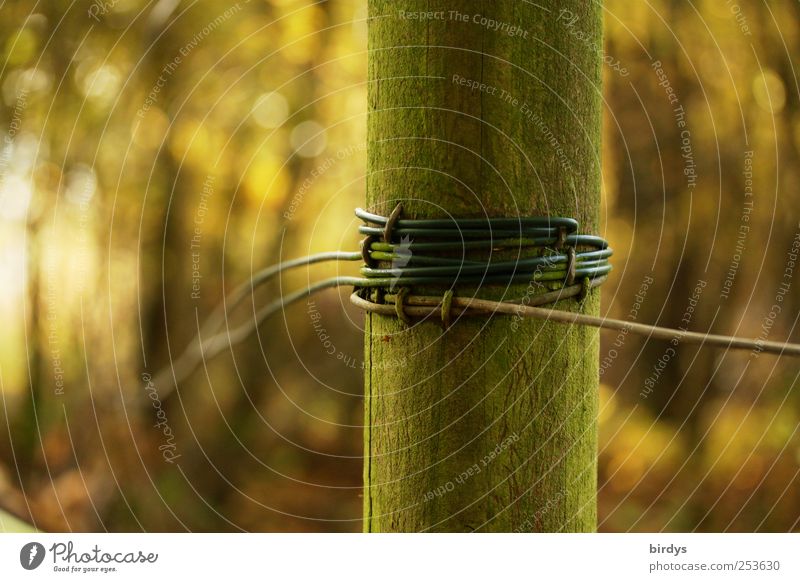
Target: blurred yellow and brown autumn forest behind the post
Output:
[(156, 153)]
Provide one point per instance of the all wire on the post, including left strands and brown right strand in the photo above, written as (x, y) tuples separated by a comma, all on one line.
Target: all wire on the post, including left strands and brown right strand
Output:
[(446, 252)]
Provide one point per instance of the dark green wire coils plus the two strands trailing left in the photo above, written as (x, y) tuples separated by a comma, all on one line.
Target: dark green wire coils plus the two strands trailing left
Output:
[(420, 252)]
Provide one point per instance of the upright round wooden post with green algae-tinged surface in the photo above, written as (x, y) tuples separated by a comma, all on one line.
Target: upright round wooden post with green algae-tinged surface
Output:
[(487, 426)]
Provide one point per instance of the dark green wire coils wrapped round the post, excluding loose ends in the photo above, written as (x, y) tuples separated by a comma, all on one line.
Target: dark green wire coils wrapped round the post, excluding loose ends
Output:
[(514, 250)]
